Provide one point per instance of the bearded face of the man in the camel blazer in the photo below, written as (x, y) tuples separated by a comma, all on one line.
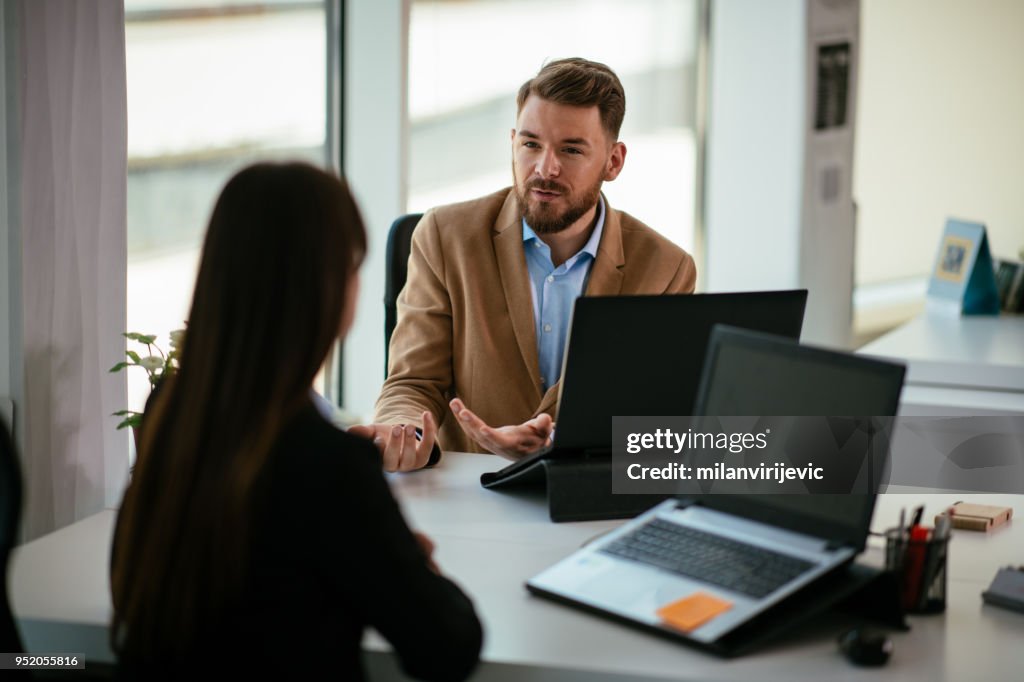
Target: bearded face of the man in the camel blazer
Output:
[(561, 157)]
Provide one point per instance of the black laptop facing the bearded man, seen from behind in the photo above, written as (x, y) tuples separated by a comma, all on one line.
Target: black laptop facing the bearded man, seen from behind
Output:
[(643, 356)]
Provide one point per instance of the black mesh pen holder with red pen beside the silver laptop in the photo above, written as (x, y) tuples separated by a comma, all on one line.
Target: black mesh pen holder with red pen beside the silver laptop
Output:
[(921, 567)]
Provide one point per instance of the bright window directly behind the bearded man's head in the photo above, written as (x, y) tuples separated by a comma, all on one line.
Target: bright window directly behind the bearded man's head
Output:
[(468, 59)]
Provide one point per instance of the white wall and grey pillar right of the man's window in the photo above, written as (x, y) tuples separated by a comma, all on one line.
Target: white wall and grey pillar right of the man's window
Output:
[(771, 224)]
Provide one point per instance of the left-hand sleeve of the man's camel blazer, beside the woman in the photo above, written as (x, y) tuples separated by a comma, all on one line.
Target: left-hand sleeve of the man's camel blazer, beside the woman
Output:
[(420, 374)]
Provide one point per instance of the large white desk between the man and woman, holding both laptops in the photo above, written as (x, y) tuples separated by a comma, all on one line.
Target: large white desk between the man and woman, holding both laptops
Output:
[(493, 542)]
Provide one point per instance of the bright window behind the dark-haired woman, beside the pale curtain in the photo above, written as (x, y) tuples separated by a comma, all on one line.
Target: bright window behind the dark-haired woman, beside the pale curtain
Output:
[(212, 87)]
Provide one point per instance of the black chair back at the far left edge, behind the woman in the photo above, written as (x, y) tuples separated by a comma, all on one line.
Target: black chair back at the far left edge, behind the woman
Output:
[(11, 516)]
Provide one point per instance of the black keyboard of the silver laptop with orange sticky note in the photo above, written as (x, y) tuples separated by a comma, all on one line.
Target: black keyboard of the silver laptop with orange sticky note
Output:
[(728, 564)]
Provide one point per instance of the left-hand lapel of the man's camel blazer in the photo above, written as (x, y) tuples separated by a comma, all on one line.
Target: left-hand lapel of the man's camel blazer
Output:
[(516, 283)]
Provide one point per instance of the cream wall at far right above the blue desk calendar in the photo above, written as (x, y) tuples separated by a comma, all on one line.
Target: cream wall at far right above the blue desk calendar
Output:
[(941, 131)]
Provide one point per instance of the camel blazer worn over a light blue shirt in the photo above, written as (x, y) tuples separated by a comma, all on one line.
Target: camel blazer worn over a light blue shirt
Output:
[(466, 316)]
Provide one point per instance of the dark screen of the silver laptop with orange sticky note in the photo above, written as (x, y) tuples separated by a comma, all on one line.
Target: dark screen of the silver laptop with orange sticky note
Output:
[(749, 374)]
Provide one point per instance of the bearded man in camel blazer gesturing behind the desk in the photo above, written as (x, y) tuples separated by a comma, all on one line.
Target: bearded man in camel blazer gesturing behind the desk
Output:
[(477, 355)]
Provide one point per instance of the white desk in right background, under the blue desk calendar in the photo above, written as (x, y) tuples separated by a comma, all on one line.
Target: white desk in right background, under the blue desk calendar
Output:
[(959, 365)]
